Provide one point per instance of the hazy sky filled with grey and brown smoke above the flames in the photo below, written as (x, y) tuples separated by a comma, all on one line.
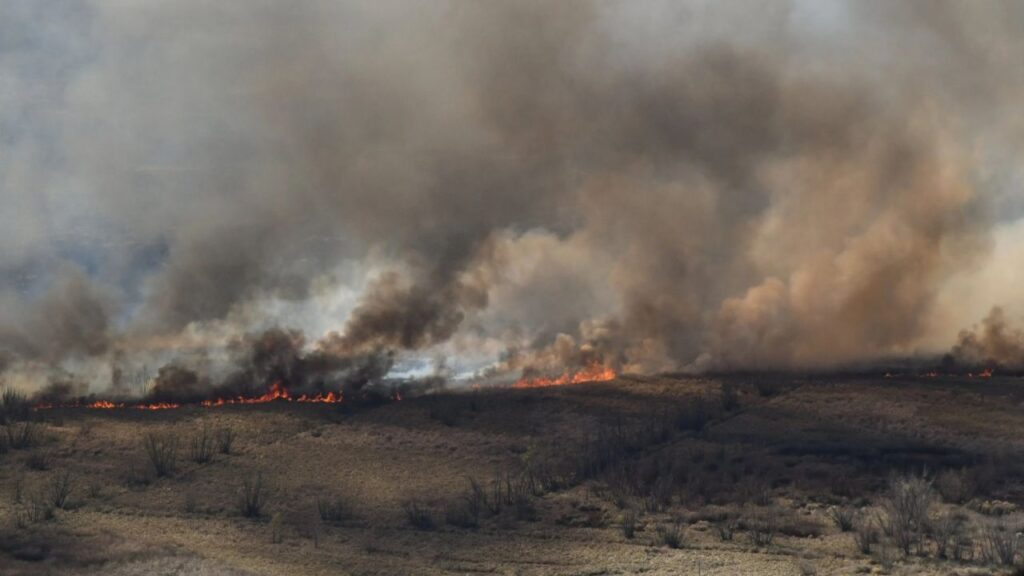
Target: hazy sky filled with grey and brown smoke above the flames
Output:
[(496, 187)]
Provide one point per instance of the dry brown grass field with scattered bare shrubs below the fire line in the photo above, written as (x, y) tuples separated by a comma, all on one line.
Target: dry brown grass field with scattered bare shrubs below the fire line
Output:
[(654, 476)]
